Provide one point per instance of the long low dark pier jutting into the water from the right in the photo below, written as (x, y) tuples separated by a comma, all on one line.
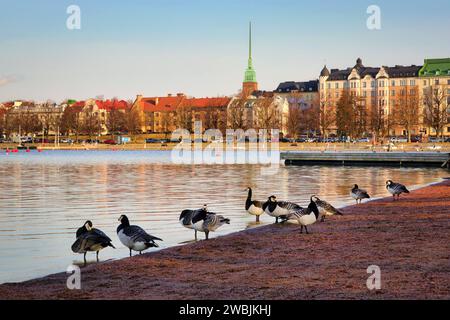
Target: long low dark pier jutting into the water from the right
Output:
[(349, 158)]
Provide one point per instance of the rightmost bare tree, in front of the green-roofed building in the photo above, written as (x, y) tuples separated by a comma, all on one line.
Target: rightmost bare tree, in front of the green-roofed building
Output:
[(435, 108)]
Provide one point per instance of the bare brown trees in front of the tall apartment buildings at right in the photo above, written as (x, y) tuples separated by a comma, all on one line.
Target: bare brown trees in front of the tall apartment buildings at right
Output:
[(353, 118)]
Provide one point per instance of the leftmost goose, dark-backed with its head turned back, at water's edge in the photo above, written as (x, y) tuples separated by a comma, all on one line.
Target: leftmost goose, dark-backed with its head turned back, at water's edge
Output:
[(90, 239)]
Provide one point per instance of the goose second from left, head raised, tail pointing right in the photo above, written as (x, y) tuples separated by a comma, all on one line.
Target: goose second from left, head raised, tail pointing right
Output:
[(134, 237)]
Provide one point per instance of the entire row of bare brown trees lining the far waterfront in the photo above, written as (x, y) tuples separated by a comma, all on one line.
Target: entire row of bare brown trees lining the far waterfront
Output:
[(351, 116)]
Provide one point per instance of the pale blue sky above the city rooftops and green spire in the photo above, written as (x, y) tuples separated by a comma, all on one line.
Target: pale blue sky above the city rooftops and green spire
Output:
[(200, 47)]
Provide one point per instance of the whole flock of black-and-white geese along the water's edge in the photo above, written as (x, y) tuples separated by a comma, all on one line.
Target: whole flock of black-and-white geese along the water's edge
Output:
[(90, 239)]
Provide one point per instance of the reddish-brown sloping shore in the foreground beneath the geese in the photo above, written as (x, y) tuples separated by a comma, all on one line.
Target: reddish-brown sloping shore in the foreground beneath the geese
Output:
[(409, 240)]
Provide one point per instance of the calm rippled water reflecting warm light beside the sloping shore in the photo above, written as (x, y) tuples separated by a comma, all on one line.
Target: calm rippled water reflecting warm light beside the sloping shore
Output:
[(45, 197)]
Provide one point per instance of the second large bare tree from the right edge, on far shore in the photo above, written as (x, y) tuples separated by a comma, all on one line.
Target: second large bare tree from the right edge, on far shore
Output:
[(406, 109)]
